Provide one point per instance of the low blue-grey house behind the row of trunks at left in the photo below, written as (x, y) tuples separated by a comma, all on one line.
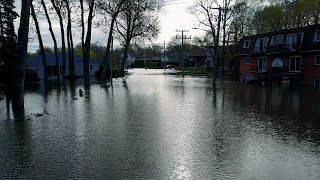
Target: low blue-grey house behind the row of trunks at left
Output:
[(35, 63)]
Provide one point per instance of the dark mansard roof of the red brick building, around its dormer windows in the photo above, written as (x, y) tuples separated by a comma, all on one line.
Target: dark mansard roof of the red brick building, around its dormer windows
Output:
[(307, 43)]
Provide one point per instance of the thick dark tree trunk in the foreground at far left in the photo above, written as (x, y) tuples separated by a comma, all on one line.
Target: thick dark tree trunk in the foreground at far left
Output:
[(18, 73)]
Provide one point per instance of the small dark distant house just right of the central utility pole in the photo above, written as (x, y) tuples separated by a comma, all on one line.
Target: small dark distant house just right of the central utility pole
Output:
[(201, 57)]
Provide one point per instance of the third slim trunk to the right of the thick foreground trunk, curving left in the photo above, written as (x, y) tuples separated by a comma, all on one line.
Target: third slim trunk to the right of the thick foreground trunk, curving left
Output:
[(64, 59)]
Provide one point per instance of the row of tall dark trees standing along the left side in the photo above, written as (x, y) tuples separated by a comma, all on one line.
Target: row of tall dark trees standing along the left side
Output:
[(125, 20)]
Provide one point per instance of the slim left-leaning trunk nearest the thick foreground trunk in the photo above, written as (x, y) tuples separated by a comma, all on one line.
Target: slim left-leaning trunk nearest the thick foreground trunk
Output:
[(43, 55)]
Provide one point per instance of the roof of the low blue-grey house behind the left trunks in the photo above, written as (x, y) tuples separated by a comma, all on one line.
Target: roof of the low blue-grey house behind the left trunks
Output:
[(51, 60)]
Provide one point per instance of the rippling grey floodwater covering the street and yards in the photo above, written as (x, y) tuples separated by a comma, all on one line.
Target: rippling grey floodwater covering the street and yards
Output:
[(155, 126)]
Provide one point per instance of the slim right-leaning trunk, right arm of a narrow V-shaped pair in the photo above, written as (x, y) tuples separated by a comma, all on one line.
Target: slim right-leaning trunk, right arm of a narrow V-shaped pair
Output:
[(87, 44)]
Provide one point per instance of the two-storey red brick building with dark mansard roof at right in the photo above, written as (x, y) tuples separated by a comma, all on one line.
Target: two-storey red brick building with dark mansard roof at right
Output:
[(288, 56)]
